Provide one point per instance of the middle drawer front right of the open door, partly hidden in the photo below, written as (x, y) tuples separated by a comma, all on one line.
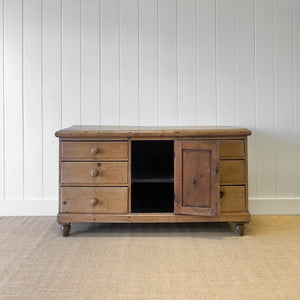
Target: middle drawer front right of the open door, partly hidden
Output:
[(232, 171)]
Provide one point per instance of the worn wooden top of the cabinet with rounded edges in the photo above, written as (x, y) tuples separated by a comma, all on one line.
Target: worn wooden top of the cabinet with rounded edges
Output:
[(92, 131)]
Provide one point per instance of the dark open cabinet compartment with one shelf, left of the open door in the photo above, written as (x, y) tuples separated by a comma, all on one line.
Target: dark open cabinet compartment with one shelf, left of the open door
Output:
[(152, 176)]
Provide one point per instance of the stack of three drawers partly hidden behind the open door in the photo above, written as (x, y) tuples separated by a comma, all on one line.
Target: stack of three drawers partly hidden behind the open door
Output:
[(233, 176)]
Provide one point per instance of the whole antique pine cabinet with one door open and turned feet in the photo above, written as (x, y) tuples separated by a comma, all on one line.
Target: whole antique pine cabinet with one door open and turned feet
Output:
[(153, 174)]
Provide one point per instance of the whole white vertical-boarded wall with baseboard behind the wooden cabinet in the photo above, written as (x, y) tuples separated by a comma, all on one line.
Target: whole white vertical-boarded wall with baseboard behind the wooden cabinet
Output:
[(148, 62)]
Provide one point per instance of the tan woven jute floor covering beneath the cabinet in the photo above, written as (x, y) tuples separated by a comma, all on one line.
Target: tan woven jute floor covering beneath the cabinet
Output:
[(150, 261)]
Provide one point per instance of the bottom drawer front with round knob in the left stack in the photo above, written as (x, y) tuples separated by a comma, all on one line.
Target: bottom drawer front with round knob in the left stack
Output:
[(102, 200)]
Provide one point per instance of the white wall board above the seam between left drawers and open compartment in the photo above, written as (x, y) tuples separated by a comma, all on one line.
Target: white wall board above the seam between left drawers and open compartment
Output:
[(129, 72)]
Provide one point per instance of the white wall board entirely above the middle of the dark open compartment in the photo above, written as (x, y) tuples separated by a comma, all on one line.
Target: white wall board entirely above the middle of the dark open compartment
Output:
[(148, 62)]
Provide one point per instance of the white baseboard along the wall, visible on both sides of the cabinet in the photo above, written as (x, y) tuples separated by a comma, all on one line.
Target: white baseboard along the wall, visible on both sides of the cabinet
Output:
[(257, 206)]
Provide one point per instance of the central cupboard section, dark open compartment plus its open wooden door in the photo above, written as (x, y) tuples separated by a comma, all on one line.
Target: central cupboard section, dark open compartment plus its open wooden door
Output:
[(195, 168)]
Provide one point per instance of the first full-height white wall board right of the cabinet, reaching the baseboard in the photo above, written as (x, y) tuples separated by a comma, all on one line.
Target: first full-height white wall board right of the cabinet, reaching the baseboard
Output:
[(265, 98)]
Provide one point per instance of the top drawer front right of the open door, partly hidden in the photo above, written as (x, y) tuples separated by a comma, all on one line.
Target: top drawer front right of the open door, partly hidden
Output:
[(232, 148)]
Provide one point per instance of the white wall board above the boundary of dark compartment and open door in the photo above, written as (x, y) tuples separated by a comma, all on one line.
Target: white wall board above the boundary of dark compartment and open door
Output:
[(167, 62)]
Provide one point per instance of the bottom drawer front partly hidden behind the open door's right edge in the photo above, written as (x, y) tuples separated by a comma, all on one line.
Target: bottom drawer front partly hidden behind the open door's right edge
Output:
[(232, 199)]
